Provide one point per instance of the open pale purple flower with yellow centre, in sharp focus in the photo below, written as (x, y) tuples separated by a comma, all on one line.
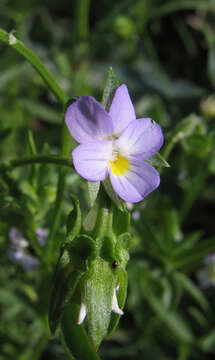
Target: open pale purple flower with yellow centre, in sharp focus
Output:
[(115, 143)]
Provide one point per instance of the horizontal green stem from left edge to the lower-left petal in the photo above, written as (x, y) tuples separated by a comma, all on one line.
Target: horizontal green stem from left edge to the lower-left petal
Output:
[(48, 159)]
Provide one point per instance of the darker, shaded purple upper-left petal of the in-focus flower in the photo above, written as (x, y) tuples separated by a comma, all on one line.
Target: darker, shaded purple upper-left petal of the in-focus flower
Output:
[(88, 121)]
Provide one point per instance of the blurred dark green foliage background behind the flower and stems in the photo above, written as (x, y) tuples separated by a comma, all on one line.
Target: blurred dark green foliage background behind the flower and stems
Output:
[(164, 50)]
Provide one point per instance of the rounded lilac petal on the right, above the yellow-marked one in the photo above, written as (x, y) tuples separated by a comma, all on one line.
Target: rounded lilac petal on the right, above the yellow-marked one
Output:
[(142, 137)]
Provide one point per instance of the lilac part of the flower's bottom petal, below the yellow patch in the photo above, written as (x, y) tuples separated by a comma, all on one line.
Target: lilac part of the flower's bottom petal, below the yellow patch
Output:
[(137, 182)]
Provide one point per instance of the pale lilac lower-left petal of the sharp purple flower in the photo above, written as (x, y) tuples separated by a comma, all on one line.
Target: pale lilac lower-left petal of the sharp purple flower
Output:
[(91, 160)]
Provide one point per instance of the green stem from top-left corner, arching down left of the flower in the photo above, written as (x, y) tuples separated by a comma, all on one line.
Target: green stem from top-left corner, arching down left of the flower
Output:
[(53, 86)]
